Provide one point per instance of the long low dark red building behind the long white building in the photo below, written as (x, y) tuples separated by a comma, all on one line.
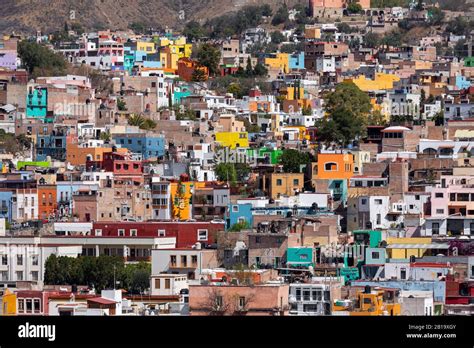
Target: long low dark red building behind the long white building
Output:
[(187, 233)]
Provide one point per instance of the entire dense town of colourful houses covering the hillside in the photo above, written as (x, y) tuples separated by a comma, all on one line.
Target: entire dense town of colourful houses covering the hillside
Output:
[(315, 160)]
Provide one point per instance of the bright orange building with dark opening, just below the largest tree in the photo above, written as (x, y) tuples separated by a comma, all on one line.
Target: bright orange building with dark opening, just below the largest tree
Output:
[(334, 166)]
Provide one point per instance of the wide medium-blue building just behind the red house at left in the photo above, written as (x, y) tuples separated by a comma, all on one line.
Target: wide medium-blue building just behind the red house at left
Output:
[(148, 145)]
